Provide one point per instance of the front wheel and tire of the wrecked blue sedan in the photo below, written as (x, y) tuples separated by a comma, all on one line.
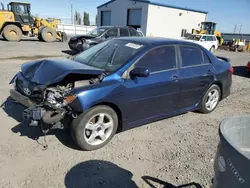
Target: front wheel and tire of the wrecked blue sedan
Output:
[(79, 128)]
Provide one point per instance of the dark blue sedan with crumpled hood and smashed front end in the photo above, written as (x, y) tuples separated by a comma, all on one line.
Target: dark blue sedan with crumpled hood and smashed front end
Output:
[(120, 84)]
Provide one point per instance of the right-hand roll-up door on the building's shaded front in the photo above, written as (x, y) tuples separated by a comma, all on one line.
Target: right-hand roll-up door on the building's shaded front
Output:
[(134, 17)]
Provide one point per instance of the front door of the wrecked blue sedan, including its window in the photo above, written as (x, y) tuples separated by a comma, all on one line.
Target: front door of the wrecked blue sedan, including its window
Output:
[(158, 94)]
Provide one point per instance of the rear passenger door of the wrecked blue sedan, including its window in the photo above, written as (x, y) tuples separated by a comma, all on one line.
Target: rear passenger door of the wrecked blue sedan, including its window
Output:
[(196, 75)]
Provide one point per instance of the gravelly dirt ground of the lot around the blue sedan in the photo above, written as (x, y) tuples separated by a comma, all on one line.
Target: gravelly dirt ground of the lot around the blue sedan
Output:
[(170, 153)]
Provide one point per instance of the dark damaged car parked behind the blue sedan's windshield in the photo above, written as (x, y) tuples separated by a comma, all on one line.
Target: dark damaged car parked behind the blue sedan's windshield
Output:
[(80, 43)]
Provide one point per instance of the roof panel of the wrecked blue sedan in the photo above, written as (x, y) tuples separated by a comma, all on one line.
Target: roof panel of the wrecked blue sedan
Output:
[(156, 41)]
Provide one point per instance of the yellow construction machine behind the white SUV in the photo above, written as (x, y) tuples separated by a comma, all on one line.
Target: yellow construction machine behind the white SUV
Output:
[(209, 28)]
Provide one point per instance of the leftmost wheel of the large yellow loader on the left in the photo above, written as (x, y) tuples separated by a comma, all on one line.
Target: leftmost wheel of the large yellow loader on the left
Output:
[(12, 33)]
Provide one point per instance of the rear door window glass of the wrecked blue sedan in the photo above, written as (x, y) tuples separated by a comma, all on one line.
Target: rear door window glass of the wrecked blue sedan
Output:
[(191, 56)]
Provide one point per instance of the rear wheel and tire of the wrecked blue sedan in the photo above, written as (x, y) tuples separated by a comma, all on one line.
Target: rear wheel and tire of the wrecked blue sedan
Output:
[(204, 103)]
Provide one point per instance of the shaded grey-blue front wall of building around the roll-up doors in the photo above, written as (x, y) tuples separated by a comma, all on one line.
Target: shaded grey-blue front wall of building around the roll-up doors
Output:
[(118, 10)]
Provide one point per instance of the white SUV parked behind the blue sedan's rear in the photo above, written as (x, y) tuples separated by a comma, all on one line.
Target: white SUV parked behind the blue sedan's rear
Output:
[(209, 42)]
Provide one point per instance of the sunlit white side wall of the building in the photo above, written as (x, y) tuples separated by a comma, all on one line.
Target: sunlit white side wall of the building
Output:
[(167, 22)]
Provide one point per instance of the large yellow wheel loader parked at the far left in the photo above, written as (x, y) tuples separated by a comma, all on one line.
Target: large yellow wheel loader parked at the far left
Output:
[(17, 21)]
